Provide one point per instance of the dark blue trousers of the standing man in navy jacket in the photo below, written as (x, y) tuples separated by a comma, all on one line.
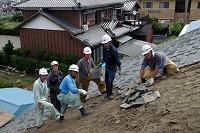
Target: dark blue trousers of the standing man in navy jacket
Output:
[(109, 78)]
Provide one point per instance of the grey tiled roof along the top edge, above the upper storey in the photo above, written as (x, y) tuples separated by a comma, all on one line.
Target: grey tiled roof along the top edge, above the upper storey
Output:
[(67, 3)]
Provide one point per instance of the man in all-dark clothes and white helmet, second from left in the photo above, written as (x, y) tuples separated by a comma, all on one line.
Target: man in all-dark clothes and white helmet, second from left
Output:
[(54, 79)]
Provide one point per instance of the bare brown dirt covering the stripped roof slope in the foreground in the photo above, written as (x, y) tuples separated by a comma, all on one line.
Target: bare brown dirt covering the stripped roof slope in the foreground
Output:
[(176, 111)]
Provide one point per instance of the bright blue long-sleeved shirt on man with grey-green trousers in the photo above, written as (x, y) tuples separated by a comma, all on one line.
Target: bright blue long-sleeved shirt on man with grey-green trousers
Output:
[(68, 85)]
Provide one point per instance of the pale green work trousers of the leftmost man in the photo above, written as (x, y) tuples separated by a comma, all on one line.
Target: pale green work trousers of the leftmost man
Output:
[(40, 112)]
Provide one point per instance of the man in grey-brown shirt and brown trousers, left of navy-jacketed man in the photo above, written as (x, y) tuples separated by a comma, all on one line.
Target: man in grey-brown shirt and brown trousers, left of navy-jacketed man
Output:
[(85, 65)]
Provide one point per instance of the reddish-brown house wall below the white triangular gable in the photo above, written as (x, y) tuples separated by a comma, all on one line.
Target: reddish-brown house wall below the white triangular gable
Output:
[(51, 41)]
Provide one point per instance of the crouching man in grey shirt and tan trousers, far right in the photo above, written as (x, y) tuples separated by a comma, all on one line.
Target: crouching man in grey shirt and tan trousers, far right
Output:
[(156, 61)]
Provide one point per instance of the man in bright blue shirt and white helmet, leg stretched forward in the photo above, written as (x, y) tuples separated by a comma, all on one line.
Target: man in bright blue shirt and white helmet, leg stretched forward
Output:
[(68, 91)]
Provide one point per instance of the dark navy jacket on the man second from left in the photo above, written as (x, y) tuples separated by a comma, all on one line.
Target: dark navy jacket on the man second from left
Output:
[(54, 80)]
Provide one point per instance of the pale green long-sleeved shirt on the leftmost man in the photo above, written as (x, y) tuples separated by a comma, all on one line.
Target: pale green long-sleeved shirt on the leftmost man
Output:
[(40, 91)]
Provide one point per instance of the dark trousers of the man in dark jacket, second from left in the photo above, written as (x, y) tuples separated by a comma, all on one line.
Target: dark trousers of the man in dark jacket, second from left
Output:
[(54, 100)]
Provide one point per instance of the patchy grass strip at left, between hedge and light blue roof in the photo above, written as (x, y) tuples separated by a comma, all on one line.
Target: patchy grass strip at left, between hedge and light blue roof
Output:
[(17, 80)]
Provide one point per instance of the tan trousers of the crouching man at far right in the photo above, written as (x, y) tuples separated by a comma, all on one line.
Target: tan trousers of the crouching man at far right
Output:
[(171, 68)]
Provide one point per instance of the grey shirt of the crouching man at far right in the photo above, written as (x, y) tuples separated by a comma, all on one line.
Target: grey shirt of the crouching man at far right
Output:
[(159, 60)]
